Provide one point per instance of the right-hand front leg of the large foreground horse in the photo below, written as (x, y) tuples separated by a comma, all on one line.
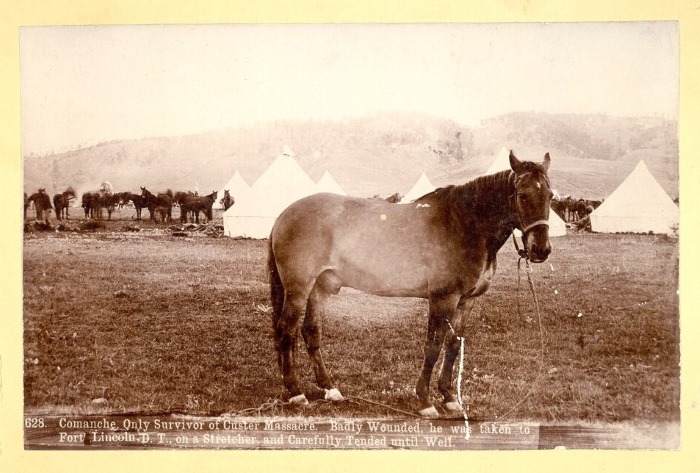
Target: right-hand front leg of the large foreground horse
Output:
[(453, 344)]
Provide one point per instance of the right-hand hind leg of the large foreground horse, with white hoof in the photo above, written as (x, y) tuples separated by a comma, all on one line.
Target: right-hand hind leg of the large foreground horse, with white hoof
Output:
[(311, 330)]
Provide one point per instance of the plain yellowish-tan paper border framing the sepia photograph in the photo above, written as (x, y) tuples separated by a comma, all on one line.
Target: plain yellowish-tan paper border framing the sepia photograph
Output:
[(16, 14)]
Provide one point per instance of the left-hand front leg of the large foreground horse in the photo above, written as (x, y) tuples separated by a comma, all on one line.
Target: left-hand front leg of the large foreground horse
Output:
[(440, 311)]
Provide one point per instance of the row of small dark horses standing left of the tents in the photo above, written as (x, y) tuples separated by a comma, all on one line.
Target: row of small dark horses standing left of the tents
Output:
[(160, 205)]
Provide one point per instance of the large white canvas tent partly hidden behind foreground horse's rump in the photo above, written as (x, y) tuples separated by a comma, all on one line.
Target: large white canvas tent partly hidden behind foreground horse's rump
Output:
[(282, 183)]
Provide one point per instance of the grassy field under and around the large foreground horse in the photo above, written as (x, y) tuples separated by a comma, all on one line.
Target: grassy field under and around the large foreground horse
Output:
[(144, 321)]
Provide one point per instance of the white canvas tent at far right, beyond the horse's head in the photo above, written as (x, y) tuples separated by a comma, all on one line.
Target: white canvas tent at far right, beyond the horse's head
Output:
[(638, 205)]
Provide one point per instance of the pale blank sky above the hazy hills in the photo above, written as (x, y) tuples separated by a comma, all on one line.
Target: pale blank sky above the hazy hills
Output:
[(82, 85)]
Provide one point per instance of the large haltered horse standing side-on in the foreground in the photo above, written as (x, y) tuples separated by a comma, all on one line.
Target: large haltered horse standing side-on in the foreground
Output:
[(442, 248)]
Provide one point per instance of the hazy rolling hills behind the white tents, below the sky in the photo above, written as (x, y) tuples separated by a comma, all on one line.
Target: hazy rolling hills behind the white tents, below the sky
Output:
[(382, 154)]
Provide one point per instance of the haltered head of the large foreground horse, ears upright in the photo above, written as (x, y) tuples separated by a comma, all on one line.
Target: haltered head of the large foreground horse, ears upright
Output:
[(532, 199)]
